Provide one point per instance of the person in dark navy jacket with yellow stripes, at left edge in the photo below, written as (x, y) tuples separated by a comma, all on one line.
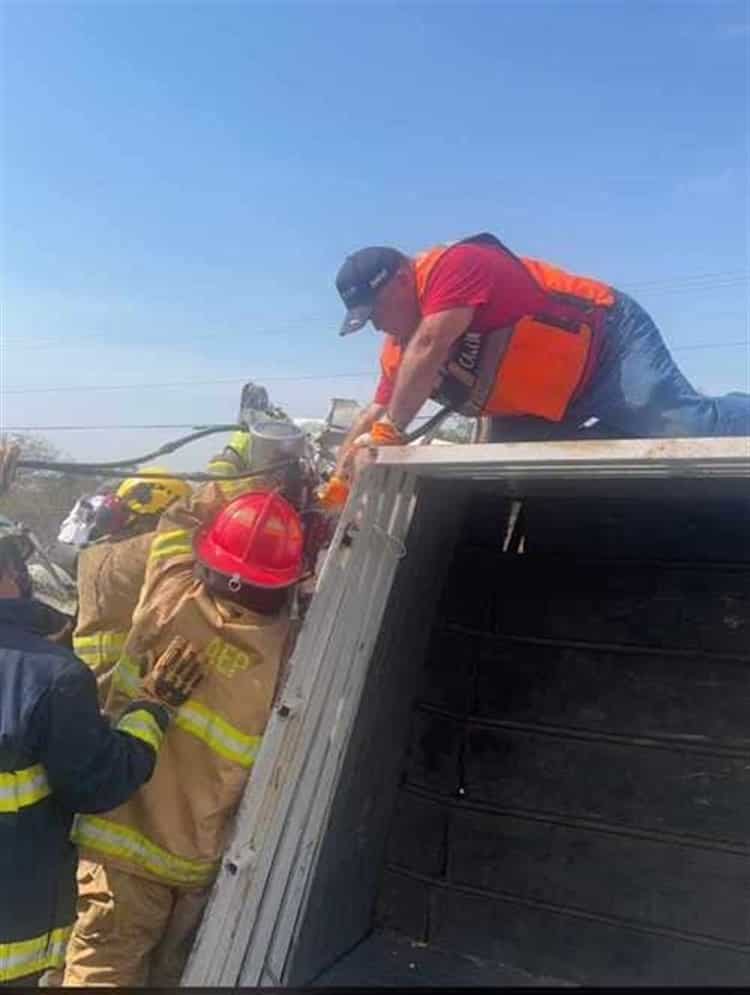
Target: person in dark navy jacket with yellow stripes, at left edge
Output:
[(58, 756)]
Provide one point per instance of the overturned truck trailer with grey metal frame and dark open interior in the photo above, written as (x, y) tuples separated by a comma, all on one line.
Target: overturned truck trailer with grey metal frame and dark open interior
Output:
[(514, 745)]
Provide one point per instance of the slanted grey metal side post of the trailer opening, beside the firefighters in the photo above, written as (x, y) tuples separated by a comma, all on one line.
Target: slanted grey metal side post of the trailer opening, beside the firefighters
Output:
[(293, 758)]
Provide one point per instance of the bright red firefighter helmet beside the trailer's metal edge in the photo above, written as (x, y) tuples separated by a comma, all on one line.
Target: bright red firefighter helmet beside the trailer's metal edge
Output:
[(256, 539)]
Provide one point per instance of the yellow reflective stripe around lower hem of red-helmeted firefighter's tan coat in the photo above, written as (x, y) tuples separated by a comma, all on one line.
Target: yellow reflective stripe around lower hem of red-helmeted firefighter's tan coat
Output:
[(118, 841)]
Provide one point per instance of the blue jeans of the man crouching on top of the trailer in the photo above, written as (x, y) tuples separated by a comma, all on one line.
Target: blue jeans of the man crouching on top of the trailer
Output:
[(637, 391)]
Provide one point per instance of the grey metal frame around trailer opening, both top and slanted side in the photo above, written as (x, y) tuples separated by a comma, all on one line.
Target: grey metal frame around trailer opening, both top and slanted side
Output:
[(260, 892)]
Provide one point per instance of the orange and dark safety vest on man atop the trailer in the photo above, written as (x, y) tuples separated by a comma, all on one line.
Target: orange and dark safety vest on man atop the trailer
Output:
[(532, 367)]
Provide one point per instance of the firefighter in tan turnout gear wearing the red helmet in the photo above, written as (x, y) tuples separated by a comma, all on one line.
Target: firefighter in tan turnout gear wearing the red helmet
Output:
[(218, 581)]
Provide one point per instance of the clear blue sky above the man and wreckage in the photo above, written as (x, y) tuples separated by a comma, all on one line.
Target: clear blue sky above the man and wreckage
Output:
[(181, 181)]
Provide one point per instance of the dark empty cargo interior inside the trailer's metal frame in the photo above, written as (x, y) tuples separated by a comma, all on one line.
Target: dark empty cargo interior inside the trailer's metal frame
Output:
[(549, 785)]
